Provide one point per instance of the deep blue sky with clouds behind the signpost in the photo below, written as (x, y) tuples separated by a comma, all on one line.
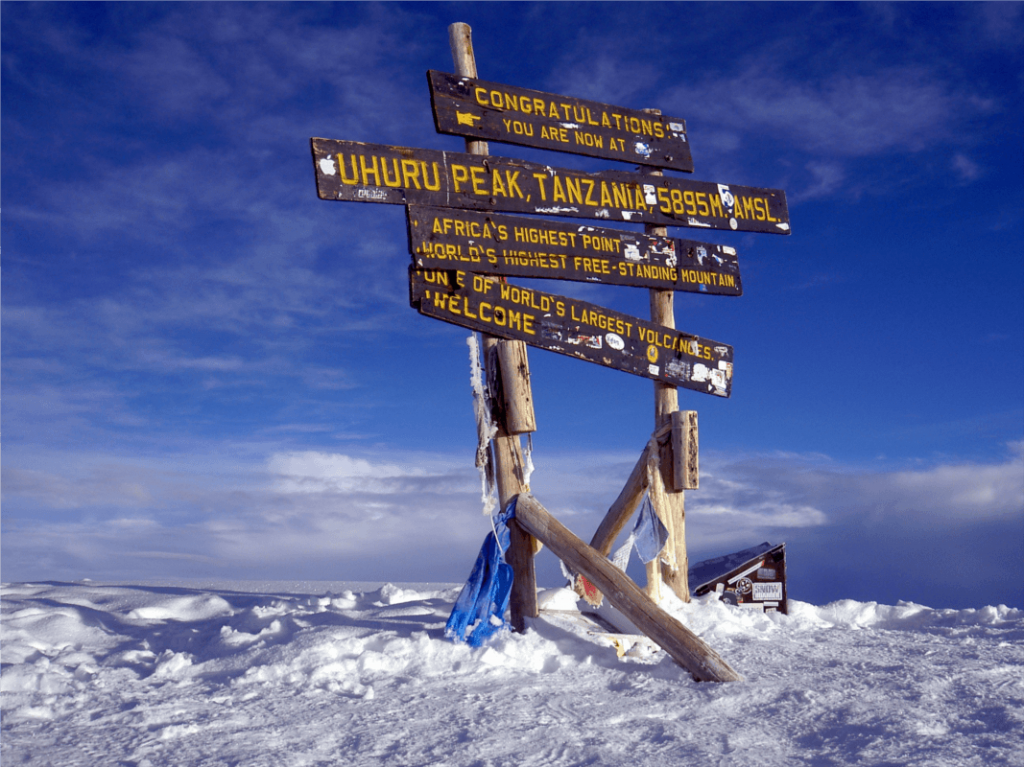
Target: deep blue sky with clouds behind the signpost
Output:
[(208, 372)]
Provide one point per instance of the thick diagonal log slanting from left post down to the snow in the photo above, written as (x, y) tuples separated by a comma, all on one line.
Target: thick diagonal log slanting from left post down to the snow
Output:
[(686, 648)]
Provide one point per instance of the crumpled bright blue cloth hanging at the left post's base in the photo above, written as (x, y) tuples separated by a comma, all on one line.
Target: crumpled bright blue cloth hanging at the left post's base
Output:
[(480, 611)]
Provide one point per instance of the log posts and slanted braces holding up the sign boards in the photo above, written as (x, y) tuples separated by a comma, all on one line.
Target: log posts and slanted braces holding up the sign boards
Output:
[(534, 525)]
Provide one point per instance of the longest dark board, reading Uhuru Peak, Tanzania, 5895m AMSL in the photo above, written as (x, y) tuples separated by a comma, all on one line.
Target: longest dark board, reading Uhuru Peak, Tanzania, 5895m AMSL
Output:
[(400, 176)]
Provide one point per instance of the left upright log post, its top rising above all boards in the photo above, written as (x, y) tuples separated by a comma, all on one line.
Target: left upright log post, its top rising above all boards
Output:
[(517, 412)]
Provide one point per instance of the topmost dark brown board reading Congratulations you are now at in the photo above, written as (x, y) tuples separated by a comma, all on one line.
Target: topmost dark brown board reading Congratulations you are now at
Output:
[(464, 107)]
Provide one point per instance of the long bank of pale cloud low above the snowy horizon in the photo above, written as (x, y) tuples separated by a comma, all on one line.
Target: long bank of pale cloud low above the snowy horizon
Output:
[(417, 517)]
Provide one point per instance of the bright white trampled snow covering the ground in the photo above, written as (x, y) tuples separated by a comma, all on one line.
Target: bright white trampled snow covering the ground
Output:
[(333, 674)]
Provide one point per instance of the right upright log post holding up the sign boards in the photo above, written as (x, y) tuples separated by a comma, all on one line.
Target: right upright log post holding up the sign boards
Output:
[(667, 403)]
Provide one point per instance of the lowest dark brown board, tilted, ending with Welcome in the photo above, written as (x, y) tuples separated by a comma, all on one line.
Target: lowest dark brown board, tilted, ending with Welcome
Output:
[(574, 328)]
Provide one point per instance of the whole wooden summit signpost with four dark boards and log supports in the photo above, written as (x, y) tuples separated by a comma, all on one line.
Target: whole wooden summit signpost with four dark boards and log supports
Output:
[(463, 250)]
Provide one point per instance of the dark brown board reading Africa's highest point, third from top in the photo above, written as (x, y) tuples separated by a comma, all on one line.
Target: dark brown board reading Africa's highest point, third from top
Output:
[(495, 244)]
